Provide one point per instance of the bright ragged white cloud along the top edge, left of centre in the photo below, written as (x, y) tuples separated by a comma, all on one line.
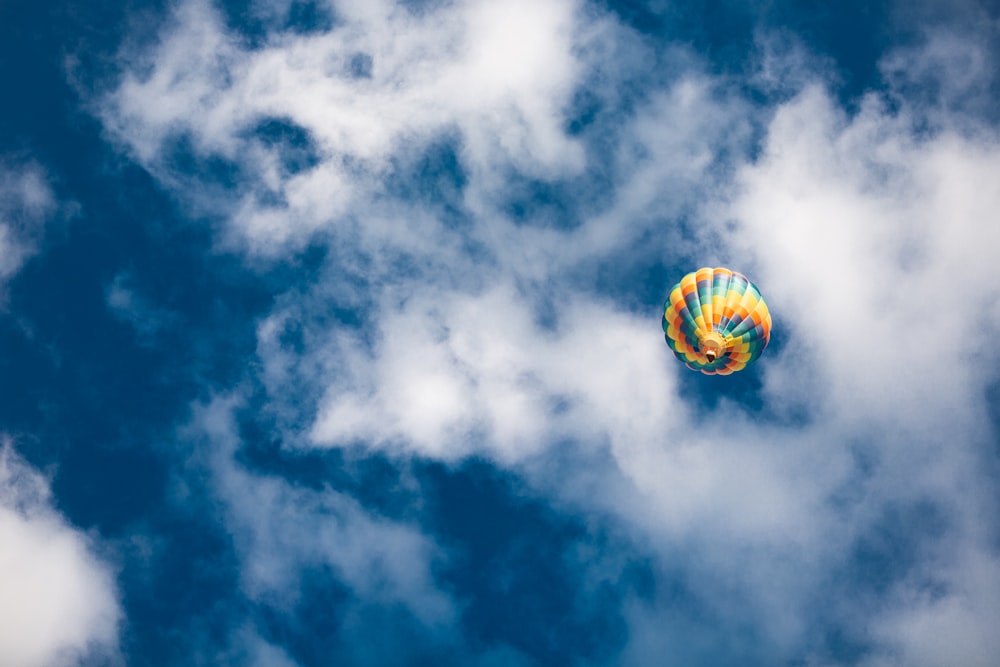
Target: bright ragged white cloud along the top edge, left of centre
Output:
[(501, 74)]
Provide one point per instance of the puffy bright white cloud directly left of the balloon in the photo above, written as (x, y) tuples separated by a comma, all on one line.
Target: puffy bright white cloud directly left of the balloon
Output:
[(452, 374)]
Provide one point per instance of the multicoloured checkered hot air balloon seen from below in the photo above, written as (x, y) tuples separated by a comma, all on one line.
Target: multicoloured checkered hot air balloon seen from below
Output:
[(716, 321)]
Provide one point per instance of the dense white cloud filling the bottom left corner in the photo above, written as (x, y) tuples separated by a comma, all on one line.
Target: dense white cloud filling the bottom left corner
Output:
[(59, 601)]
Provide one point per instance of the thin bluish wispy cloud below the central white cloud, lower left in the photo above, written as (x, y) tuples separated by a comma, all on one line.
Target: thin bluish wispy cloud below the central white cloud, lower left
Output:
[(280, 530)]
